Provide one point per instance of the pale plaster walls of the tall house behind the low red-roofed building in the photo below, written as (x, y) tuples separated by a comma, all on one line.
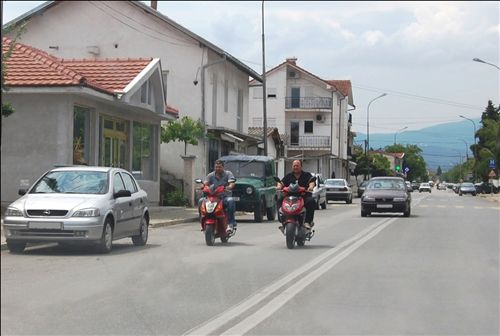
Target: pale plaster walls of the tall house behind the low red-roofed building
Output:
[(119, 29)]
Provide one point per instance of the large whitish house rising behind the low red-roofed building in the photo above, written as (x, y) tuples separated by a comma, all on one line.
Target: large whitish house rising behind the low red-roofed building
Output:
[(201, 80)]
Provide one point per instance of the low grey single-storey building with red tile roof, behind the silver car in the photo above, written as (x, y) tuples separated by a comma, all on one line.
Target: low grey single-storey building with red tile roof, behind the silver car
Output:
[(80, 111)]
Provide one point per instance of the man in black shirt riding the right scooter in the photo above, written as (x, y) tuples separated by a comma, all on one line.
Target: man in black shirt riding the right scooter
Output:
[(304, 180)]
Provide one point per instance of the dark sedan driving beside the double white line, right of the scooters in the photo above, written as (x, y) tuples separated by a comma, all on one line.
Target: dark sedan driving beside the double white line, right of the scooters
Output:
[(386, 194)]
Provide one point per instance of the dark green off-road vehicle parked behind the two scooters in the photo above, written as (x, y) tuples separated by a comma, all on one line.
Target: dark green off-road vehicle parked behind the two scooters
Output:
[(255, 189)]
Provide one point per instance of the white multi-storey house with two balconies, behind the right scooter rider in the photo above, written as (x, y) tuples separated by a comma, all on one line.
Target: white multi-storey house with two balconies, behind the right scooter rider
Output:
[(311, 113)]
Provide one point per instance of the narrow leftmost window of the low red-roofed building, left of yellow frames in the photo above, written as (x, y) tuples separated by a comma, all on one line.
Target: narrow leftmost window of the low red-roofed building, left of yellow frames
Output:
[(81, 135)]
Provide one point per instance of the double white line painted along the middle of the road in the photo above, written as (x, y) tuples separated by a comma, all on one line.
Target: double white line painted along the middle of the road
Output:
[(239, 309)]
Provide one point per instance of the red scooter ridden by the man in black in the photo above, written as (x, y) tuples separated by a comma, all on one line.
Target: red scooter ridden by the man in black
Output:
[(292, 214)]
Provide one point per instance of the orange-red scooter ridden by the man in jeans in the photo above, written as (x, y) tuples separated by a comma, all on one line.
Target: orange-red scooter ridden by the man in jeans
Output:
[(213, 216)]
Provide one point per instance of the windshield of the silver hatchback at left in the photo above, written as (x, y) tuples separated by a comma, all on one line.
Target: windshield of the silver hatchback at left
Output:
[(72, 182)]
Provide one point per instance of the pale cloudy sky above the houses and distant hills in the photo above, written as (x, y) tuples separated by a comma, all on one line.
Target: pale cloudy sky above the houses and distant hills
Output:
[(418, 53)]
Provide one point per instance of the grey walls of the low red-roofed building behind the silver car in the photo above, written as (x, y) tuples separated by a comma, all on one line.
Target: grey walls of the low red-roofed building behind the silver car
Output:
[(35, 140)]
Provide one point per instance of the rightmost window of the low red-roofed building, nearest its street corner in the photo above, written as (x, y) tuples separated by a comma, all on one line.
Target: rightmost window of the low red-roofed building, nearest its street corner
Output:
[(143, 151)]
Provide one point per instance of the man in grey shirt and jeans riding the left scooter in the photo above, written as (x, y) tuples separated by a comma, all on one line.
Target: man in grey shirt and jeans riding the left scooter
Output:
[(221, 177)]
